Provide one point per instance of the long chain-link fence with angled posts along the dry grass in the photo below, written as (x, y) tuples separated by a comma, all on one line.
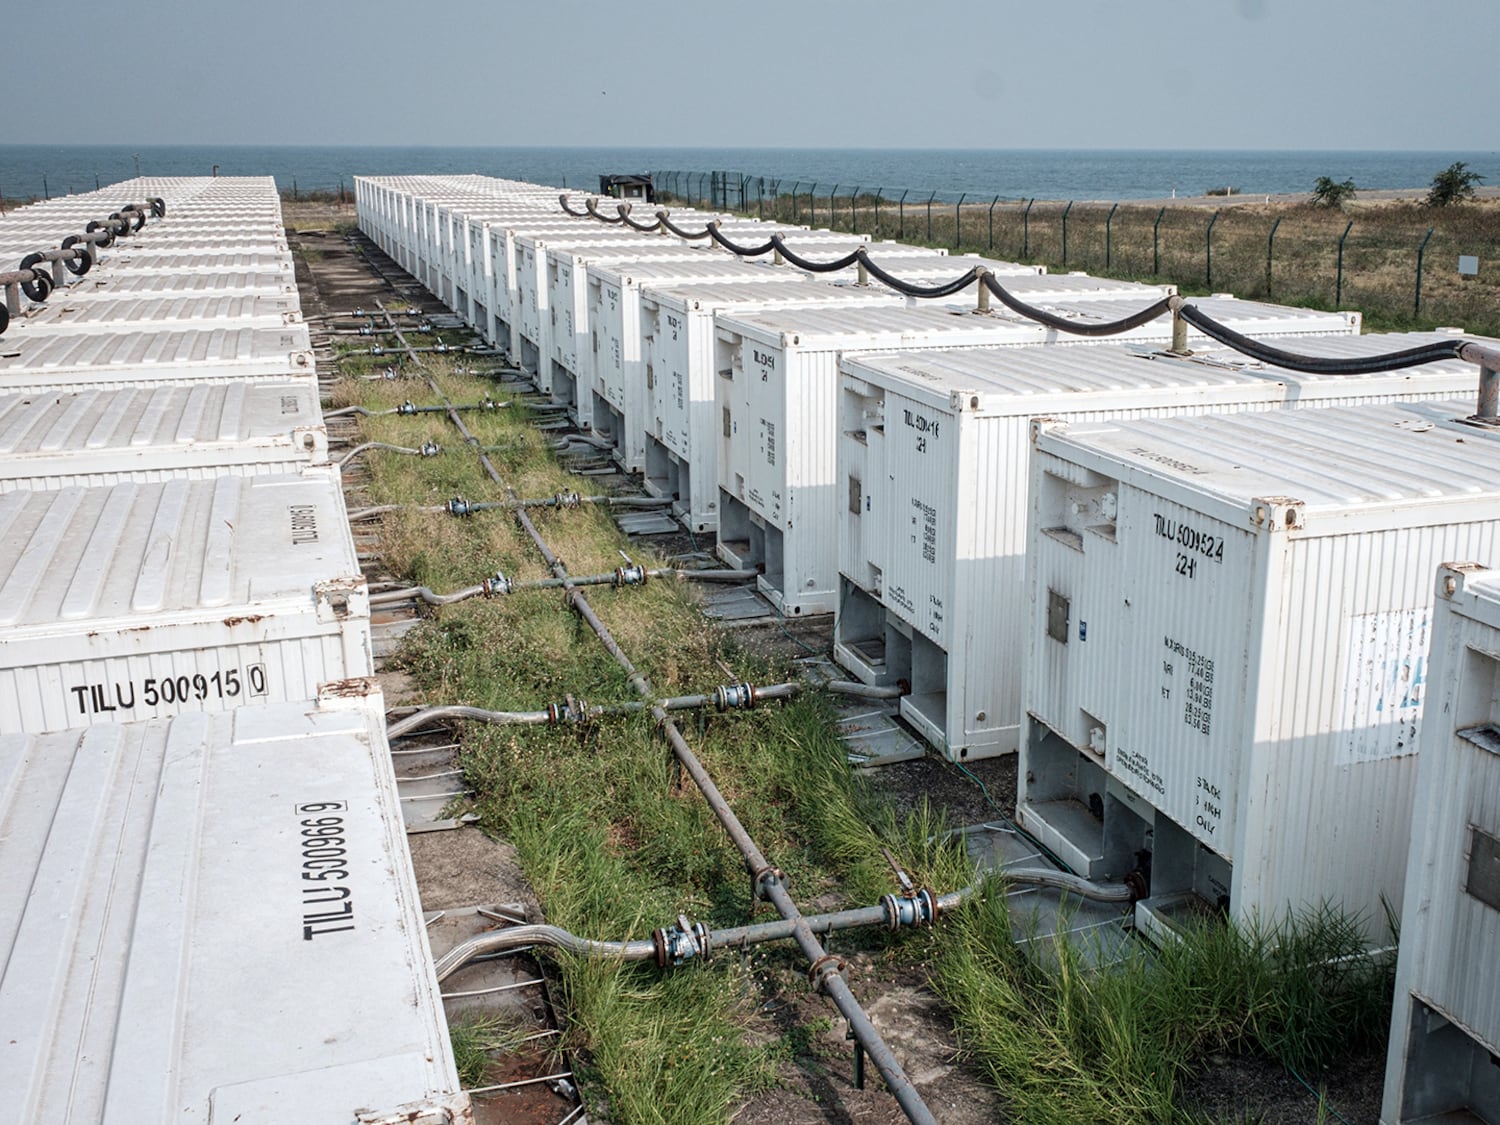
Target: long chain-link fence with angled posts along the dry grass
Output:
[(1403, 265)]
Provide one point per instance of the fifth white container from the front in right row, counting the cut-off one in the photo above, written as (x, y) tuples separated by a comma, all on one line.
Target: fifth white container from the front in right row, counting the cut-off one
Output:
[(682, 356)]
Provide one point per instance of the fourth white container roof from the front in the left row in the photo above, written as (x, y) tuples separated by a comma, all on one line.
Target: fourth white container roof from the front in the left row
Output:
[(95, 359)]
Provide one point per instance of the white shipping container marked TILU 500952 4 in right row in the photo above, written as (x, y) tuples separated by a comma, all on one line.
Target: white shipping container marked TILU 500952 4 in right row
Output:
[(1229, 641)]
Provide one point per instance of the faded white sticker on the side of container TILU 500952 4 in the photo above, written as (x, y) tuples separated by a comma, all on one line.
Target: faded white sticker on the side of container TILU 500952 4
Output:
[(1385, 677)]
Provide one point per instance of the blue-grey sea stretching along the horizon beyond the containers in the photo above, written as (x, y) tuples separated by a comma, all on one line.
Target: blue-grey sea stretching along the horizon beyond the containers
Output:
[(46, 172)]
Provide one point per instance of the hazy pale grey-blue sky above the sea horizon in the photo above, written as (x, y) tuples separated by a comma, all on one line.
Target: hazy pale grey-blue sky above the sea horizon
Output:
[(1112, 74)]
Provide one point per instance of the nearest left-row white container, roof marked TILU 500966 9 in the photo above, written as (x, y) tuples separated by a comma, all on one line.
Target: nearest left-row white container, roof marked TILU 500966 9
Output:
[(214, 919)]
